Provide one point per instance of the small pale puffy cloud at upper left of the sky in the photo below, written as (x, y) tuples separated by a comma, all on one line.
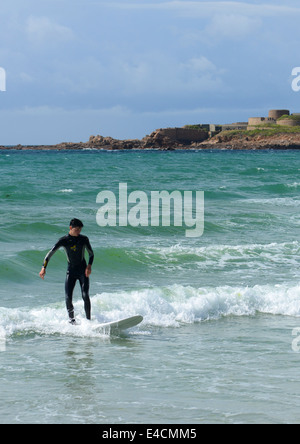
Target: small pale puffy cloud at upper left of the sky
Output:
[(41, 29)]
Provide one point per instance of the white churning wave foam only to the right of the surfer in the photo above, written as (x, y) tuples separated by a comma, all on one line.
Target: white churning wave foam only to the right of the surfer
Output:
[(173, 305)]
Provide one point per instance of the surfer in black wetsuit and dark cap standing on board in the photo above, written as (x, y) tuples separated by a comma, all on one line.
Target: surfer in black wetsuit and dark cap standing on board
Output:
[(75, 245)]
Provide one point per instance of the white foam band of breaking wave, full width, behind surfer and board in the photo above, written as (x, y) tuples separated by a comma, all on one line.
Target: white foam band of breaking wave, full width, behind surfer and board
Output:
[(164, 307)]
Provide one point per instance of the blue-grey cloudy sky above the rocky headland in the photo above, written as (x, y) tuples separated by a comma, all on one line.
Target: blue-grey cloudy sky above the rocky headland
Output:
[(76, 68)]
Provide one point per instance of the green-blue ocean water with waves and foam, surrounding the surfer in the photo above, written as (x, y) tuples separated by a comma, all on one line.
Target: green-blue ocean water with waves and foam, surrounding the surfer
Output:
[(219, 341)]
